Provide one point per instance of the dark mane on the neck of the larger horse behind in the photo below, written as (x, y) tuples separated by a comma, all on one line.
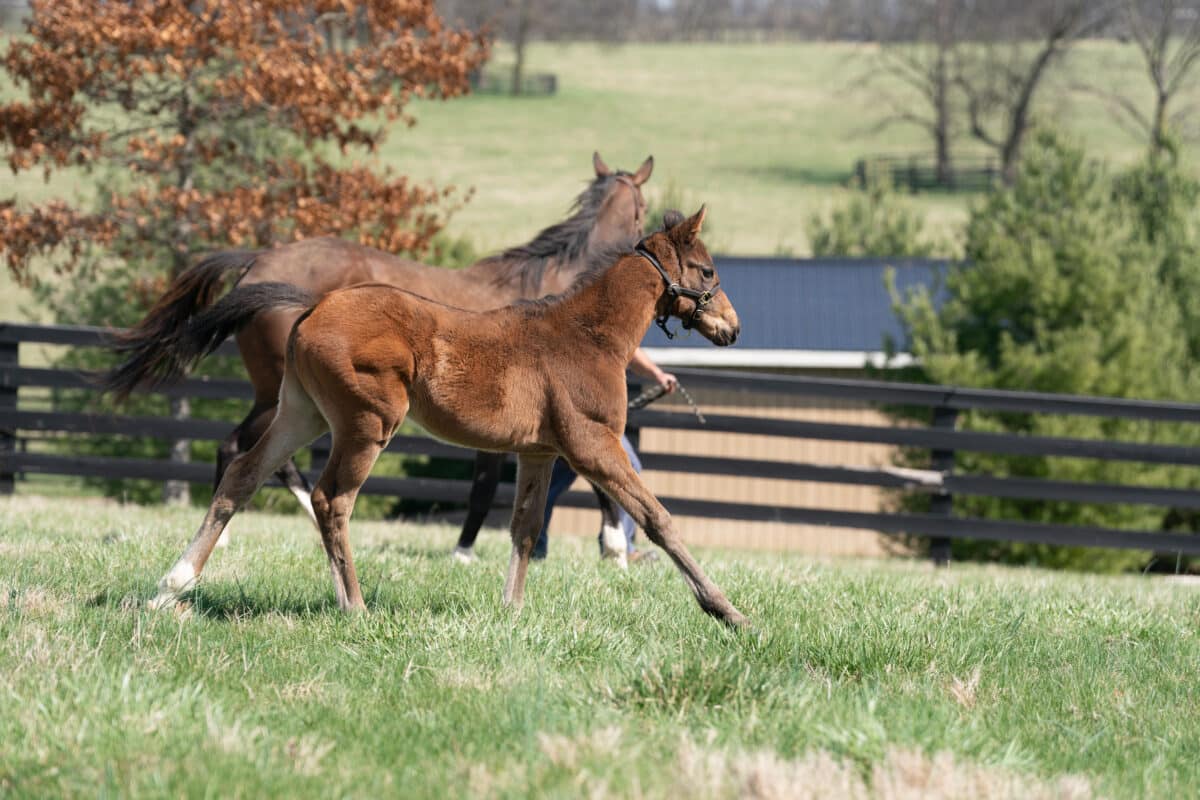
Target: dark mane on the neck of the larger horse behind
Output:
[(563, 243)]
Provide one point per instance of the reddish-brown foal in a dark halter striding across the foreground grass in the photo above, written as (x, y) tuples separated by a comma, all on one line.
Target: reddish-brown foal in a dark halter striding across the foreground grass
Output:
[(542, 380)]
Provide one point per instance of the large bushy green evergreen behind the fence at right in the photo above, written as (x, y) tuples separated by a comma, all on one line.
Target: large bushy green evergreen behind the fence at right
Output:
[(1064, 290)]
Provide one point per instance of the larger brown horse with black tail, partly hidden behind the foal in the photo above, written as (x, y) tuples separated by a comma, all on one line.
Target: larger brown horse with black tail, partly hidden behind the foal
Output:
[(609, 214)]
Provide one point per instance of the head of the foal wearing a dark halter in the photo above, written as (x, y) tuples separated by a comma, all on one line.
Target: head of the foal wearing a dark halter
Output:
[(698, 298)]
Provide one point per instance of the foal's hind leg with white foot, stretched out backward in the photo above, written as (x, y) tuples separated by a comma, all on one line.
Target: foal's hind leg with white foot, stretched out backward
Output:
[(297, 424)]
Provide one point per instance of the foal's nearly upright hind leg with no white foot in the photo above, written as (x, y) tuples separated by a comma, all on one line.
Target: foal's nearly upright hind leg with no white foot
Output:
[(351, 460)]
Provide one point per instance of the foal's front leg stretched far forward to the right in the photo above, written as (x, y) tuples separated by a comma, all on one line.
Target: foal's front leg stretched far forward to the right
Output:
[(598, 456)]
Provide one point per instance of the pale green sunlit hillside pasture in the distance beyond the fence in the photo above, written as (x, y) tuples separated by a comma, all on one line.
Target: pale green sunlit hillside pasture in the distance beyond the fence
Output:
[(767, 135)]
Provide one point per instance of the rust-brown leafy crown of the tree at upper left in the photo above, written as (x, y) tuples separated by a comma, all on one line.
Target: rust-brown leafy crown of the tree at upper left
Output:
[(221, 123)]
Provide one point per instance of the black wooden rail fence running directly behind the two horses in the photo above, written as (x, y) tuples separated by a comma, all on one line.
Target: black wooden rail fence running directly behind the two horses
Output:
[(21, 428)]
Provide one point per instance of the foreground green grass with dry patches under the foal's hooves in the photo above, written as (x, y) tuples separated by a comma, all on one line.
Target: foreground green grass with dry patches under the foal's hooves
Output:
[(860, 679)]
